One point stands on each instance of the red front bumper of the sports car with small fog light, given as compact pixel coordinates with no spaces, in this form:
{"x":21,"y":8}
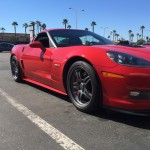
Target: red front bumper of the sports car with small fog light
{"x":122,"y":93}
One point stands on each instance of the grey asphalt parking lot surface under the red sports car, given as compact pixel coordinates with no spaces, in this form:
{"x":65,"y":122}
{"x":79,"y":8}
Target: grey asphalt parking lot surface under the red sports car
{"x":100,"y":131}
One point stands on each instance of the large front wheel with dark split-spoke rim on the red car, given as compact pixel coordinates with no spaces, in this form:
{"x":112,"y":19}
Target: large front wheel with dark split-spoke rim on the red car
{"x":83,"y":87}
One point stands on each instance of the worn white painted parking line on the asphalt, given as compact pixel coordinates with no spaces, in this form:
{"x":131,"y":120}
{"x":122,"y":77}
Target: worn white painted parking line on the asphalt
{"x":55,"y":134}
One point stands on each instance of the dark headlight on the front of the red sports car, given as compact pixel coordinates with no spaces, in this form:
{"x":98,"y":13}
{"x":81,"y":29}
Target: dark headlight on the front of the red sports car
{"x":128,"y":60}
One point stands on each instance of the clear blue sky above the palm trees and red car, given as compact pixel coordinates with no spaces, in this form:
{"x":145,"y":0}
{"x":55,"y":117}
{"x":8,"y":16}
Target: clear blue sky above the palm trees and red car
{"x":119,"y":15}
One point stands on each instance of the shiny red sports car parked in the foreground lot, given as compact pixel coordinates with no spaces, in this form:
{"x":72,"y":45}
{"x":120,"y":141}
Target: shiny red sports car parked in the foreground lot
{"x":90,"y":69}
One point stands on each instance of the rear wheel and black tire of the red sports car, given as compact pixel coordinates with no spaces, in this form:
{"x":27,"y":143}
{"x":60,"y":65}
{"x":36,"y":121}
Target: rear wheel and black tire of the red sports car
{"x":15,"y":69}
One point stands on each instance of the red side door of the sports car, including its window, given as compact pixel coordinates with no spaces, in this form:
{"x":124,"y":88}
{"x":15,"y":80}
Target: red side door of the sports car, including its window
{"x":37,"y":62}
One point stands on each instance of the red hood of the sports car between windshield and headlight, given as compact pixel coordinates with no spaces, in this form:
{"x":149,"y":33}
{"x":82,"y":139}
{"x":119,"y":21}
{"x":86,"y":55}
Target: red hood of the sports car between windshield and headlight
{"x":141,"y":52}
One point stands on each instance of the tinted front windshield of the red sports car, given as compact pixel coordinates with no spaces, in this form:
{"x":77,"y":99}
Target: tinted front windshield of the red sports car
{"x":63,"y":38}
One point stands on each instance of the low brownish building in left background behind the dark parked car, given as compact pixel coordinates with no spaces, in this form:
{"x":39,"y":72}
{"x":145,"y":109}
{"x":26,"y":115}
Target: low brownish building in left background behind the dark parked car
{"x":11,"y":38}
